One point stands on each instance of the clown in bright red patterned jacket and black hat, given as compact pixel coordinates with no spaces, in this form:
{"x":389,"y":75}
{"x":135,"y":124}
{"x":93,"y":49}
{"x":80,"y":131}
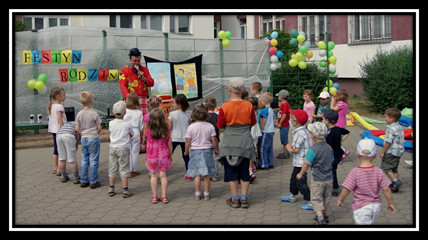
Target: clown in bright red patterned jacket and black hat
{"x":136,"y":78}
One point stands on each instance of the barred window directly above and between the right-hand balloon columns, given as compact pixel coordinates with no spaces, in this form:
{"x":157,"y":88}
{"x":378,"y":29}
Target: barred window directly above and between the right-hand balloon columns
{"x":315,"y":26}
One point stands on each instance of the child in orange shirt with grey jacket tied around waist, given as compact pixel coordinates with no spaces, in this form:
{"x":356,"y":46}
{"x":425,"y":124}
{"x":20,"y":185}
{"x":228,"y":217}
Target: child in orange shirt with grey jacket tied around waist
{"x":236,"y":148}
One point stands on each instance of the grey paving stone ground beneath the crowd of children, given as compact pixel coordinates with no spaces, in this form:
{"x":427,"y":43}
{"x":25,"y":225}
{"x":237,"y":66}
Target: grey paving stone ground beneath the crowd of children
{"x":40,"y":200}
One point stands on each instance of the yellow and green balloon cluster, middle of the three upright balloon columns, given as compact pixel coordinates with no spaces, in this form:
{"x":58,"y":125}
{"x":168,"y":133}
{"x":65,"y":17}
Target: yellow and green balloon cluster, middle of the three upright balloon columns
{"x":298,"y":59}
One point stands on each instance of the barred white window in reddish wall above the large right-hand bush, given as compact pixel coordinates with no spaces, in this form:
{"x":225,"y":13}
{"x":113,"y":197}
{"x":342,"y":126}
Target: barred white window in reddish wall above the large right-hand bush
{"x":369,"y":28}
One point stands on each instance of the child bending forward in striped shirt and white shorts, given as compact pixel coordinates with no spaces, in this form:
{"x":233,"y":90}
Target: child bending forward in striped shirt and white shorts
{"x":67,"y":143}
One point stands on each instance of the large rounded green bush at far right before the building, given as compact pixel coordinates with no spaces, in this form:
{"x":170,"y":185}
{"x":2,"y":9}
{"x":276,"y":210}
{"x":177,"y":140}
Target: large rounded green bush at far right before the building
{"x":387,"y":78}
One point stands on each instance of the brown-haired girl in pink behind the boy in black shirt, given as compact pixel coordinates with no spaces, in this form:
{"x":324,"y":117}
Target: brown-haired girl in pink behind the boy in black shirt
{"x":339,"y":103}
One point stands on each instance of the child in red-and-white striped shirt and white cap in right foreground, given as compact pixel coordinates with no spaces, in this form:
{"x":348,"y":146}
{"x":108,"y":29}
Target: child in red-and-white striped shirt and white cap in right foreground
{"x":365,"y":181}
